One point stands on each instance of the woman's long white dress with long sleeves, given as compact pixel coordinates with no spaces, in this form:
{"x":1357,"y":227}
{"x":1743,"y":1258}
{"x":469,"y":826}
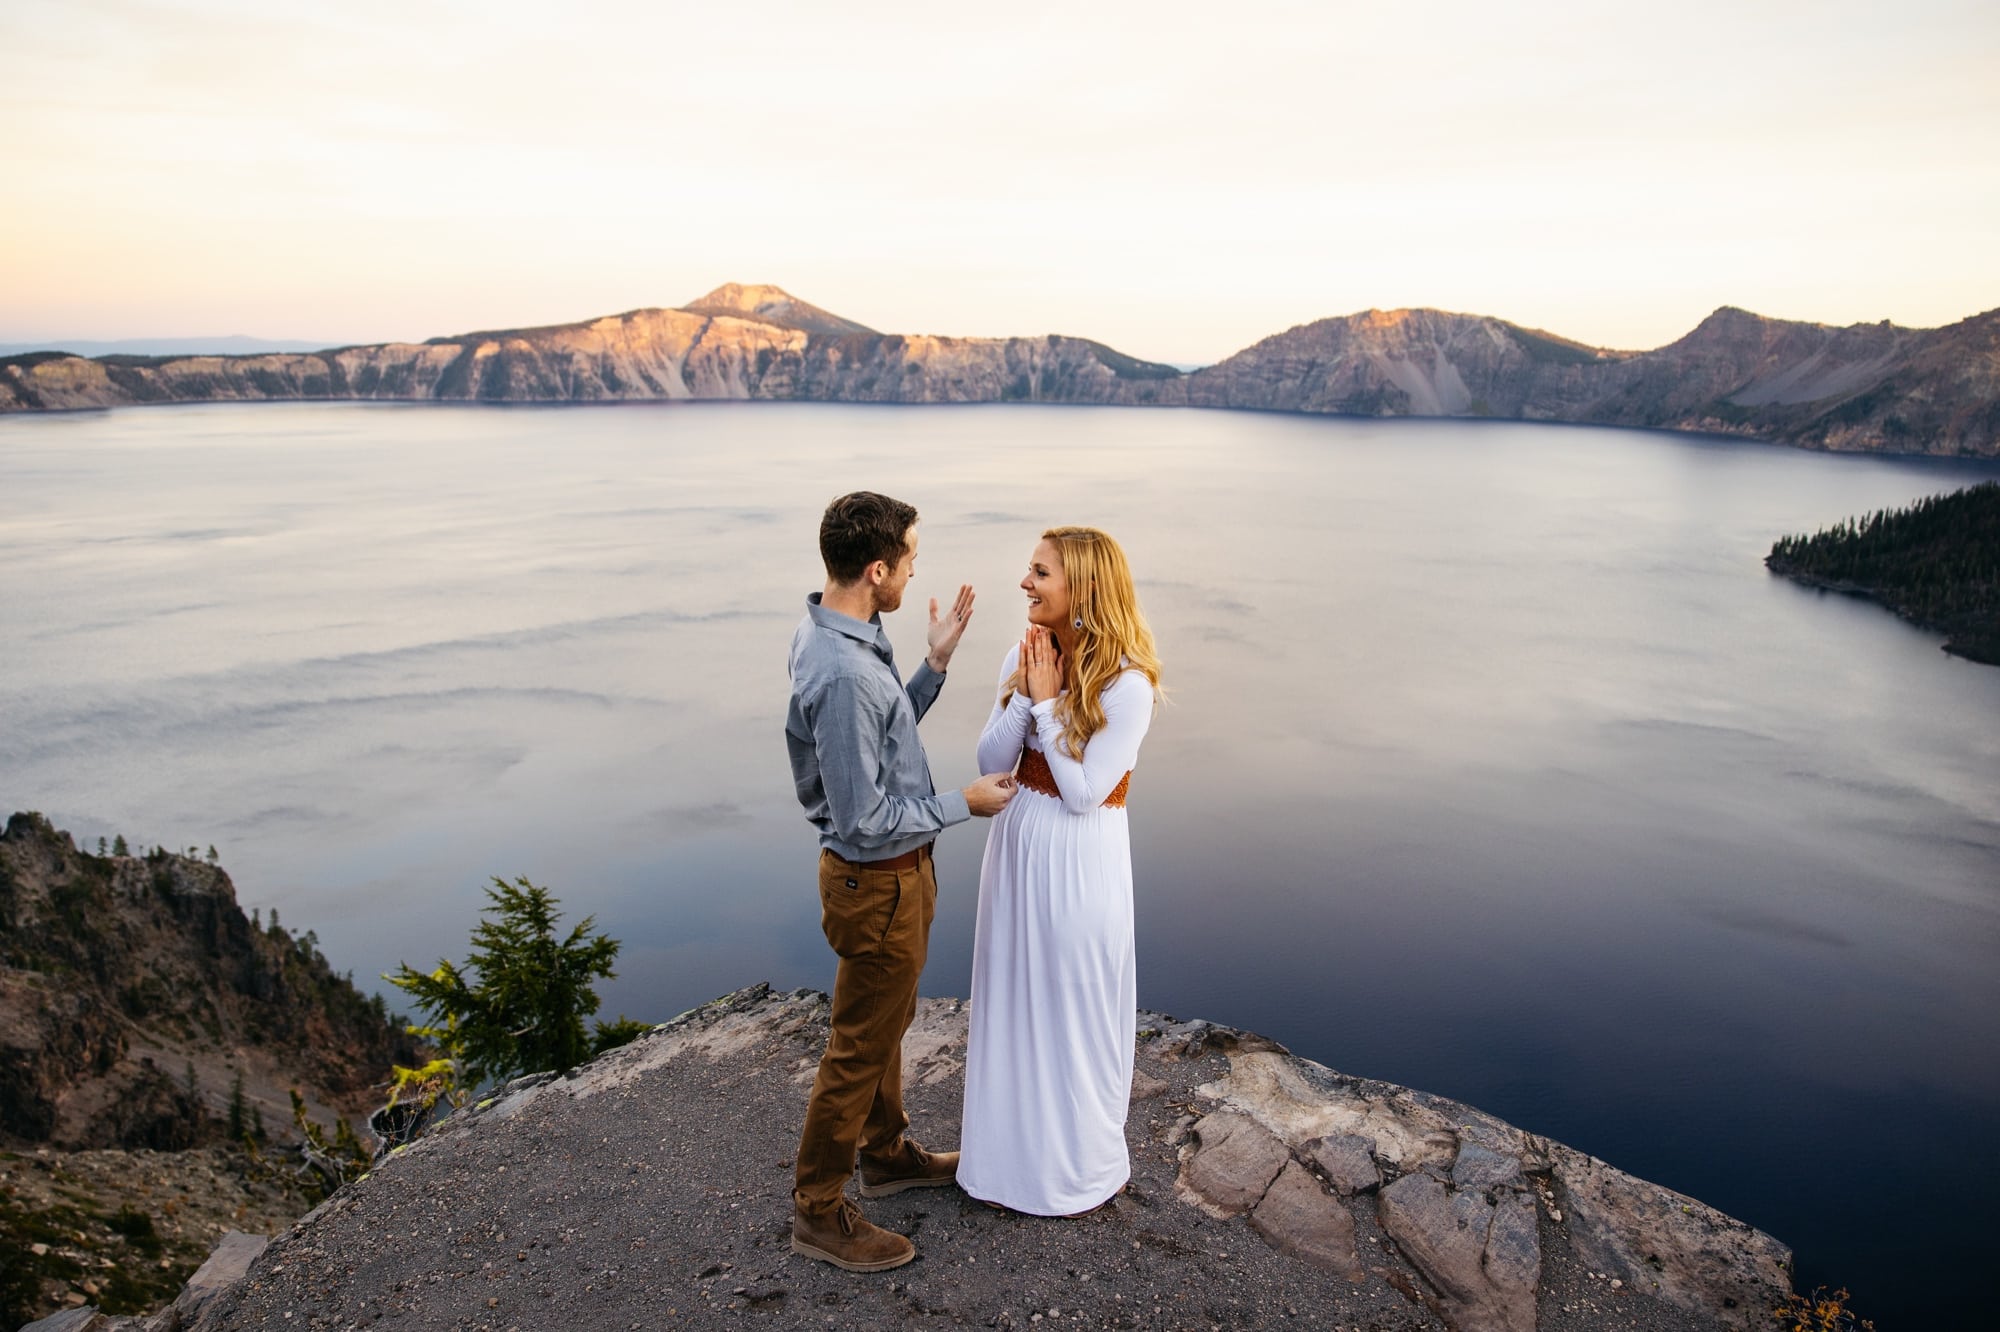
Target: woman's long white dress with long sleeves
{"x":1055,"y":989}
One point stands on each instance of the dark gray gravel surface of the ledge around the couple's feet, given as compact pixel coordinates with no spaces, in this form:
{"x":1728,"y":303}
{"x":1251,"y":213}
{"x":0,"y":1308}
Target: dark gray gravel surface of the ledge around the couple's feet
{"x":653,"y":1191}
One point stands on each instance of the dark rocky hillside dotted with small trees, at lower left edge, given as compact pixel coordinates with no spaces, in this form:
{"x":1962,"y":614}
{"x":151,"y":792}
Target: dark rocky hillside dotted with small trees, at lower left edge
{"x":135,"y":993}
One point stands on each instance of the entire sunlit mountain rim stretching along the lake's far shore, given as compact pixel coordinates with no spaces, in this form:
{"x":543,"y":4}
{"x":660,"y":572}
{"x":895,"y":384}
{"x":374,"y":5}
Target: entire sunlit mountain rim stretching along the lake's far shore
{"x":1859,"y":389}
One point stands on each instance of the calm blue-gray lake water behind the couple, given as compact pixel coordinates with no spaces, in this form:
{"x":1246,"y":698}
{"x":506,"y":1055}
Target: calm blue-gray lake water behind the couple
{"x":1495,"y":765}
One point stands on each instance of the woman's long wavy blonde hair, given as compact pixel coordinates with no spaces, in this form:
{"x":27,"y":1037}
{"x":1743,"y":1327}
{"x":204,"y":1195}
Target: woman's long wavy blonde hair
{"x":1113,"y":639}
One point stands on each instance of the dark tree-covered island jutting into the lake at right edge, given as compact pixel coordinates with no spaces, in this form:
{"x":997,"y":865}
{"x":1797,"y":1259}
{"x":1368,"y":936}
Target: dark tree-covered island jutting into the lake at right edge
{"x":1935,"y":563}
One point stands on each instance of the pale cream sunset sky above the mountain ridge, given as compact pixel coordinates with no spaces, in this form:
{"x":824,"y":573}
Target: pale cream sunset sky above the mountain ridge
{"x":1173,"y":179}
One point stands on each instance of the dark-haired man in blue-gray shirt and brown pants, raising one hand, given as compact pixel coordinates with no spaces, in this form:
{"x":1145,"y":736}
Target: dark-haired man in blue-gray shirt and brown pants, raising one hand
{"x":861,"y":773}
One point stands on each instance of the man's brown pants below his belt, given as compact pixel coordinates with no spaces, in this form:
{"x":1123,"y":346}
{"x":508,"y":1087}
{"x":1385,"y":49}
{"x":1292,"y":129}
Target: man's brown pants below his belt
{"x":879,"y":923}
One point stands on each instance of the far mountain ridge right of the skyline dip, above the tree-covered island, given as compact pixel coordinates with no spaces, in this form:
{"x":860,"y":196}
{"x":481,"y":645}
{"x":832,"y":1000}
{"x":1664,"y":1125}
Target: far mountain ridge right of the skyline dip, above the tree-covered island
{"x":1863,"y":389}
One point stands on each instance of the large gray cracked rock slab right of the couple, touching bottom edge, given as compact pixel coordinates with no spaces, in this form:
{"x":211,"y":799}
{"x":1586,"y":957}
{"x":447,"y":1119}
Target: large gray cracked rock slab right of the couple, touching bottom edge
{"x":1485,"y":1261}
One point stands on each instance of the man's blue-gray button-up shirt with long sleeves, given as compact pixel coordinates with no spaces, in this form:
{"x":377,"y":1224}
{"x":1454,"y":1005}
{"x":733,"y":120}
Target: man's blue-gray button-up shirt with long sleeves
{"x":851,"y":733}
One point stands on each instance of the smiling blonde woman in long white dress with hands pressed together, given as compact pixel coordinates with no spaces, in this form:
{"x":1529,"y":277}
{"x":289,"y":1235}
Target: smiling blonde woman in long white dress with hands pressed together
{"x":1055,"y":995}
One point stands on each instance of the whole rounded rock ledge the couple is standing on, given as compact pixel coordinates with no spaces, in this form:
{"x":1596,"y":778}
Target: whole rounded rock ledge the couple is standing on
{"x":653,"y":1191}
